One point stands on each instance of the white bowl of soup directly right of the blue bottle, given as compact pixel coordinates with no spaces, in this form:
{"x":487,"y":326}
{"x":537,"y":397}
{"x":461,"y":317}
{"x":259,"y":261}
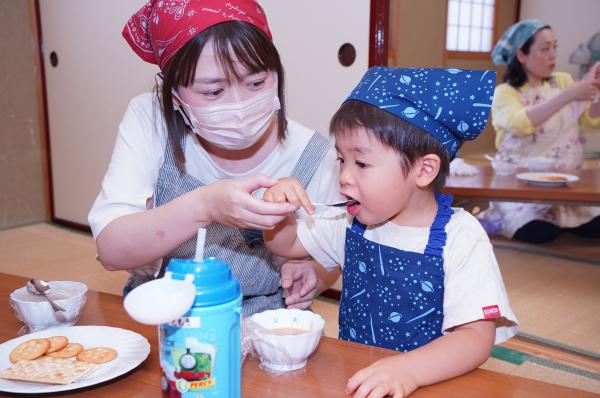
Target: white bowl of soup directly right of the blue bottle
{"x":285,"y":352}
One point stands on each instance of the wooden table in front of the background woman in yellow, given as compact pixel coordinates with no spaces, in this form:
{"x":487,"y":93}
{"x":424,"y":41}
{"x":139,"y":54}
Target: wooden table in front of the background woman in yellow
{"x":489,"y":185}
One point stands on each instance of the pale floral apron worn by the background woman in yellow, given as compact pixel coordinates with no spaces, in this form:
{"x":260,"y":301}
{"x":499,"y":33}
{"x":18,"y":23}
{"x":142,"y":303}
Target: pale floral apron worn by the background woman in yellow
{"x":559,"y":138}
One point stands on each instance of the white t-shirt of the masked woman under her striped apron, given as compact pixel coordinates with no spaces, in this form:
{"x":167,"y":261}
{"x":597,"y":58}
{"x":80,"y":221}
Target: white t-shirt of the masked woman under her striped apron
{"x":140,"y":151}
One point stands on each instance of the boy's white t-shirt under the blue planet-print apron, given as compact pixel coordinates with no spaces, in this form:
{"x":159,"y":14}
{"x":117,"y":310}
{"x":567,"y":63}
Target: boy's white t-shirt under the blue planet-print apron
{"x":472,"y":278}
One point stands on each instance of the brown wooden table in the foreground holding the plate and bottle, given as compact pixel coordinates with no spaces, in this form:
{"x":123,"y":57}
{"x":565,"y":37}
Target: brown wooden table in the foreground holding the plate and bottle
{"x":324,"y":376}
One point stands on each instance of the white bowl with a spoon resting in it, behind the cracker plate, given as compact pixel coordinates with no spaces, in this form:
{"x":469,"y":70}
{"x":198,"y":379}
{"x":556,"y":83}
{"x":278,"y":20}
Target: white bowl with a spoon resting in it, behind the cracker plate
{"x":35,"y":311}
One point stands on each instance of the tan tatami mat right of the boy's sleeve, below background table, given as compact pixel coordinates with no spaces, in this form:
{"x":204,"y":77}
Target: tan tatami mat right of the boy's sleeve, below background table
{"x":554,"y":298}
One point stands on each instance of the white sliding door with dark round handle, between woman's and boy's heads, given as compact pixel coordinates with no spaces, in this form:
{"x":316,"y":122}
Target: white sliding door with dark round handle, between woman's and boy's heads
{"x":316,"y":83}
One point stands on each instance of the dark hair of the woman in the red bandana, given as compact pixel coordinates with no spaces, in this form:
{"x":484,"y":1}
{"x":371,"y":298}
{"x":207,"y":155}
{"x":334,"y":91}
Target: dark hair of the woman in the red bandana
{"x":247,"y":43}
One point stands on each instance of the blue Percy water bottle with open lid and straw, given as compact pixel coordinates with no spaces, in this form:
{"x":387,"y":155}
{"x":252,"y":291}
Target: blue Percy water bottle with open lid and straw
{"x":200,"y":351}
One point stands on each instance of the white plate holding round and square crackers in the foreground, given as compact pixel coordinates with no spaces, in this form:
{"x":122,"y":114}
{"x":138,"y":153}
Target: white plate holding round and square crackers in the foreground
{"x":131,"y":347}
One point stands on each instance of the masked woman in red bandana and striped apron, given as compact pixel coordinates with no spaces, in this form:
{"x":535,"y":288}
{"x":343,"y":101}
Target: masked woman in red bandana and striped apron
{"x":198,"y":151}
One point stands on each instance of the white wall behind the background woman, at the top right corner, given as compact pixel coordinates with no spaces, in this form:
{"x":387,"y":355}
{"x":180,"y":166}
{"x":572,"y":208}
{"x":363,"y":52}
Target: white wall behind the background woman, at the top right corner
{"x":574,"y":22}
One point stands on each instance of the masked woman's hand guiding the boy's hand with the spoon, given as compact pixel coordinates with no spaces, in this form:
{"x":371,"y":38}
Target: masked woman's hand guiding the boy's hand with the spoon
{"x":230,"y":202}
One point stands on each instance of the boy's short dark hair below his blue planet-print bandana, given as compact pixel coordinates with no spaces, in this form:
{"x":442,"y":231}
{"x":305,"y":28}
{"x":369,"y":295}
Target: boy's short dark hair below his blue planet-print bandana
{"x":409,"y":141}
